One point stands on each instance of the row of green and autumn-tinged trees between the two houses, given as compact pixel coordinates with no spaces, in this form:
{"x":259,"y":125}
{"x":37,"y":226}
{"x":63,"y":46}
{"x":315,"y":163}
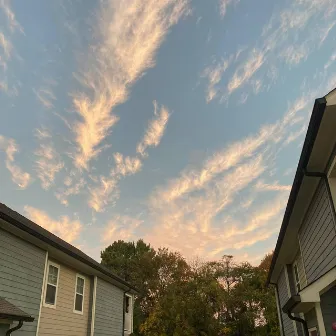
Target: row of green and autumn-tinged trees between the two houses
{"x":198,"y":298}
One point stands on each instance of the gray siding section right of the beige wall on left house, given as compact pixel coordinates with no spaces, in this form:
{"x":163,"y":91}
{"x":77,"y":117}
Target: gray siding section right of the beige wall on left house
{"x":109,"y":310}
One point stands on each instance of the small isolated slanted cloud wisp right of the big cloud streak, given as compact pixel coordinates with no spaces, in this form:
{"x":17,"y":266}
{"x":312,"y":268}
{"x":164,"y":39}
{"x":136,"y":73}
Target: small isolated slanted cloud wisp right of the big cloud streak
{"x":155,"y":130}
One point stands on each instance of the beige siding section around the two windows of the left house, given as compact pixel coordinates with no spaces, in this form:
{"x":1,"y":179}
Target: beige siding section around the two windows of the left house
{"x":62,"y":320}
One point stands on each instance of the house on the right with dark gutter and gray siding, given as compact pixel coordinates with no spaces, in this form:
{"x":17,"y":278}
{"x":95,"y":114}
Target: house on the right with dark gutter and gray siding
{"x":303,"y":268}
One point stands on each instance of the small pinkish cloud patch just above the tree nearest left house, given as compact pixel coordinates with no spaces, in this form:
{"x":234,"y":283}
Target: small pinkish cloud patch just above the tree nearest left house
{"x":120,"y":227}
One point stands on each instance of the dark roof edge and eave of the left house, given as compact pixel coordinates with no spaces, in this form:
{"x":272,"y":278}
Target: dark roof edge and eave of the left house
{"x":46,"y":236}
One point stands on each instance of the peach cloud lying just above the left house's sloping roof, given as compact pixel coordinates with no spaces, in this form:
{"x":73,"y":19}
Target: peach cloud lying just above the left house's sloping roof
{"x":64,"y":227}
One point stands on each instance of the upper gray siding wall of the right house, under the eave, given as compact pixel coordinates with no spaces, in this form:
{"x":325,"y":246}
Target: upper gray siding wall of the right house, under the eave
{"x":318,"y":236}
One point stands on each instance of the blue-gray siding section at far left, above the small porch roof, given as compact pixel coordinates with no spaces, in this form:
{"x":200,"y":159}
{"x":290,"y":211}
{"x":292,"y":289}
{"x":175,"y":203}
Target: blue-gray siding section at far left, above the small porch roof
{"x":21,"y":277}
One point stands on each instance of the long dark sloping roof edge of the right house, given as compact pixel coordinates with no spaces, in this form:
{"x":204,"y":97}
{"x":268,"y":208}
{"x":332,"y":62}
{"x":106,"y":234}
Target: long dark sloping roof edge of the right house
{"x":314,"y":125}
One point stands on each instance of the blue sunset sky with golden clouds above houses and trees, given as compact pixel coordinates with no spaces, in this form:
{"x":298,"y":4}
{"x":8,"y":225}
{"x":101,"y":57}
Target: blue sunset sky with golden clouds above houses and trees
{"x":176,"y":121}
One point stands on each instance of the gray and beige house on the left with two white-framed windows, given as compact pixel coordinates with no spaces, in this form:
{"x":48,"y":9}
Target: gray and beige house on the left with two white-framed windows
{"x":51,"y":288}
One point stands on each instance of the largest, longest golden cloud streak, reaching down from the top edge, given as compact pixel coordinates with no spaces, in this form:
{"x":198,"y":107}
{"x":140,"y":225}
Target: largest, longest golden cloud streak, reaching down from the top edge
{"x":123,"y":53}
